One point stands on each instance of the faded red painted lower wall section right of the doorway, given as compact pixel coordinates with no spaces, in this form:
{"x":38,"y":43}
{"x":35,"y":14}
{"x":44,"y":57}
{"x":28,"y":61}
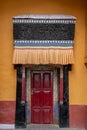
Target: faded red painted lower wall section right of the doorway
{"x":77,"y":116}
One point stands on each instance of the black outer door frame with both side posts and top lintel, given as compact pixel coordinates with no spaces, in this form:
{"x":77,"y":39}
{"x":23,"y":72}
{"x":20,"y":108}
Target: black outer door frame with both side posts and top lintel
{"x":63,"y":108}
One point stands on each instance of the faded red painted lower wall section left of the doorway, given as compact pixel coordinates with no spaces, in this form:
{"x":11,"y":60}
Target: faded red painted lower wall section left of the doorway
{"x":7,"y":112}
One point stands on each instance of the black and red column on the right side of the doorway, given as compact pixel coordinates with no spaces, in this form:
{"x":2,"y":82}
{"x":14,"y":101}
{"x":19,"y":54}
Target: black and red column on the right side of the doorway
{"x":64,"y":97}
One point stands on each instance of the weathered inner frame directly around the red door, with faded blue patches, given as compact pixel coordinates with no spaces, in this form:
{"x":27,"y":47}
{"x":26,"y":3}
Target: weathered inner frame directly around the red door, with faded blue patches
{"x":28,"y":88}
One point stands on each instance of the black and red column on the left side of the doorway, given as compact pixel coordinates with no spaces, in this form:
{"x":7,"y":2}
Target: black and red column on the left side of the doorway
{"x":20,"y":106}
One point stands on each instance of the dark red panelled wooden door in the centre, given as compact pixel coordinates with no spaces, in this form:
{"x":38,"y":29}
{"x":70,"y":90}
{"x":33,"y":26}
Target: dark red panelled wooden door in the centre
{"x":41,"y":97}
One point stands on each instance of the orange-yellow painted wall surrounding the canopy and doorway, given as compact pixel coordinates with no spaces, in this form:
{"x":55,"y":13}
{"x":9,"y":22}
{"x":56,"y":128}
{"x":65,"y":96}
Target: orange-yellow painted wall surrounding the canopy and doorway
{"x":10,"y":8}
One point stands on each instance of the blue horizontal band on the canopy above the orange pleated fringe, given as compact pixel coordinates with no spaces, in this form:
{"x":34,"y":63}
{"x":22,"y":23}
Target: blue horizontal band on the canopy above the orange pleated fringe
{"x":41,"y":44}
